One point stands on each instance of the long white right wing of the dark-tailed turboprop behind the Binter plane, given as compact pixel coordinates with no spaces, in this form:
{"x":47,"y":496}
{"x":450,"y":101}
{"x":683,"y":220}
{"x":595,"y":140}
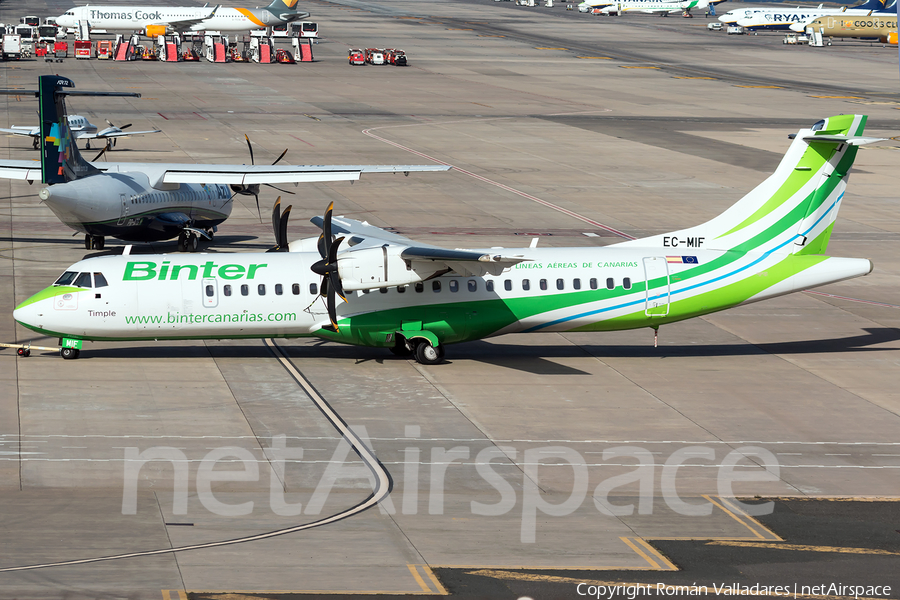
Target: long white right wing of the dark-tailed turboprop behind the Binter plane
{"x":161,"y":173}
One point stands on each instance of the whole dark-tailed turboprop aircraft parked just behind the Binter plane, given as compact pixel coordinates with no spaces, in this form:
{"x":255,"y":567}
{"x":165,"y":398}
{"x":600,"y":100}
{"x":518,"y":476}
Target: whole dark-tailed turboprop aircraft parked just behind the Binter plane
{"x":145,"y":202}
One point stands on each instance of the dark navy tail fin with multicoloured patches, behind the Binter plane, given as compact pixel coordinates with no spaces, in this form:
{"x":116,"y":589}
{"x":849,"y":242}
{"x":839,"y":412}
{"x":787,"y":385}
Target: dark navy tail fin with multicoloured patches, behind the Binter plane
{"x":60,"y":159}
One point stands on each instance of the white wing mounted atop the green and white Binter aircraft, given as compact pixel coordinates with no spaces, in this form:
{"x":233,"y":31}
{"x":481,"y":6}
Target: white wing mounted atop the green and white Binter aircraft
{"x":467,"y":263}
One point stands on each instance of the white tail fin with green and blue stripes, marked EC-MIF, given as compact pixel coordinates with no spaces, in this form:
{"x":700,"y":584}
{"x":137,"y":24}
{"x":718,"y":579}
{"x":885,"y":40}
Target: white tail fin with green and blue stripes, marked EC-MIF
{"x":791,"y":212}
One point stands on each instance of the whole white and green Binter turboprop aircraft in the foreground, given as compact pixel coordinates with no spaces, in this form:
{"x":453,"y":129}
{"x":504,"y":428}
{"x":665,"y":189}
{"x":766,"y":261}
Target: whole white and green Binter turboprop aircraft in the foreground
{"x":417,"y":298}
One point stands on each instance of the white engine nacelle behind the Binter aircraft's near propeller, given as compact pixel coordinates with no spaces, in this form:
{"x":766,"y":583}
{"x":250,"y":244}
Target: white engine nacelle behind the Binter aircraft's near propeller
{"x":374,"y":268}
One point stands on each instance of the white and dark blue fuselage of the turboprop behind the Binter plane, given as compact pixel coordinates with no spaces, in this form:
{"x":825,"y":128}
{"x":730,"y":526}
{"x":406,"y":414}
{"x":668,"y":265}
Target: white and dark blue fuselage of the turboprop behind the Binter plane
{"x":125,"y":206}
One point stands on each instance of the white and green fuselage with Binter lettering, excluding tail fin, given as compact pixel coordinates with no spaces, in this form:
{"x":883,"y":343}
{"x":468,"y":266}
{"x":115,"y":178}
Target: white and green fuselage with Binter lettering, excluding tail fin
{"x":195,"y":296}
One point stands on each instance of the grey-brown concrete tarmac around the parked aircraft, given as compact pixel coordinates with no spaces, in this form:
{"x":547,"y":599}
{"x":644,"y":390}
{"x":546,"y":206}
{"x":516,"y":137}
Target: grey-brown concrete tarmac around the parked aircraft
{"x":502,"y":457}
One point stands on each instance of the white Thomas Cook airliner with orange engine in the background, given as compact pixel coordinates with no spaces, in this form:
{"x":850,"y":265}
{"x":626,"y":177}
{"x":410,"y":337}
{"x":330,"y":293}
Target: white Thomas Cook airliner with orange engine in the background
{"x":159,"y":20}
